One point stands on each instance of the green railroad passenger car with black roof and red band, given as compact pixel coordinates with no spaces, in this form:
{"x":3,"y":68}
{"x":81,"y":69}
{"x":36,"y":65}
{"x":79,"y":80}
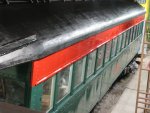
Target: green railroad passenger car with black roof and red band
{"x":63,"y":57}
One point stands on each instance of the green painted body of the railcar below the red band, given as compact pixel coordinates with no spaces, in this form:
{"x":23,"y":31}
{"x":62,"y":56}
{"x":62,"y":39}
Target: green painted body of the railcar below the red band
{"x":81,"y":97}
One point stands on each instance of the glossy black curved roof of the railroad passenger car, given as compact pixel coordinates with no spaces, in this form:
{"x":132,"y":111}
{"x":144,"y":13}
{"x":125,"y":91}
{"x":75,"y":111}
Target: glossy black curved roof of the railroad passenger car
{"x":32,"y":32}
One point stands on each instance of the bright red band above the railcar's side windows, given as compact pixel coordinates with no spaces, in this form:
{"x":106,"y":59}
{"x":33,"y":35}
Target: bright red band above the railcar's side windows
{"x":50,"y":65}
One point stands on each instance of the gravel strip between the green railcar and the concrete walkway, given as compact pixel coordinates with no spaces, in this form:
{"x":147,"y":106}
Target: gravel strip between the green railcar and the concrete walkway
{"x":110,"y":99}
